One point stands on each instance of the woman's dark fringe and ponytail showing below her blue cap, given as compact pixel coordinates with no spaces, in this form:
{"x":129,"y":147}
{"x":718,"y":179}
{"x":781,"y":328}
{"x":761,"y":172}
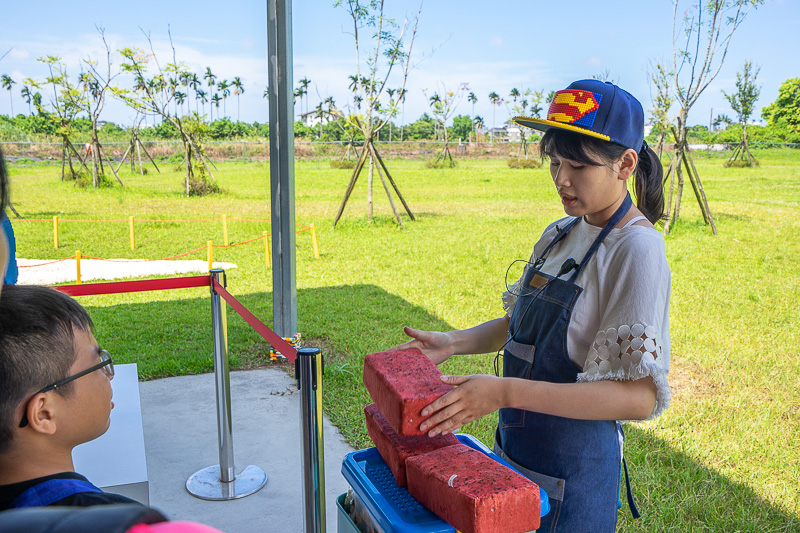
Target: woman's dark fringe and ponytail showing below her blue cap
{"x":648,"y":184}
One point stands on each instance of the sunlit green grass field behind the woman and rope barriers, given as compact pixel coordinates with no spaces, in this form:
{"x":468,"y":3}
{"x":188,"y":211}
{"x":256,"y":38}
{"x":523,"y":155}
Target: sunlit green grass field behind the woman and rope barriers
{"x":726,"y":455}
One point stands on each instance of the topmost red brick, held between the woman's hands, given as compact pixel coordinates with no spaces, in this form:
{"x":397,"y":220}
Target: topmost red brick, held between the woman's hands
{"x":402,"y":383}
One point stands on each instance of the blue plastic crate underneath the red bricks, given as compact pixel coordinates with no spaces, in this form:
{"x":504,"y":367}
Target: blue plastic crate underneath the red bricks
{"x":391,"y":506}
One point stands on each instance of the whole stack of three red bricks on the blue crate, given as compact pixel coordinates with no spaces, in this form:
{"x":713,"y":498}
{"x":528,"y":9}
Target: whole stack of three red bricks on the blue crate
{"x":462,"y":486}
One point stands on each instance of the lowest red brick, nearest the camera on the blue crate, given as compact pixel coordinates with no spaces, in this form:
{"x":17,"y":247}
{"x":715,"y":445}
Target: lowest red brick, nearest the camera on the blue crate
{"x":472,"y":492}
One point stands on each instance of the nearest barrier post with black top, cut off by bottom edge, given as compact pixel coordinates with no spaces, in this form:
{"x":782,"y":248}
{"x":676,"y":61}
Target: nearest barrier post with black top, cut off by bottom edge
{"x":308,"y":370}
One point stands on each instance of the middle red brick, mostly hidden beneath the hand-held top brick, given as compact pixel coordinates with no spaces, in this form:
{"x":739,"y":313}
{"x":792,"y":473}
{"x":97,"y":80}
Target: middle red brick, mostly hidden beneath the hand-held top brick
{"x":394,"y":448}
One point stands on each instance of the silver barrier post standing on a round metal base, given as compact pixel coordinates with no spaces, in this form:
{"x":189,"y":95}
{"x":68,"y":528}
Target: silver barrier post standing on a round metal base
{"x":219,"y":482}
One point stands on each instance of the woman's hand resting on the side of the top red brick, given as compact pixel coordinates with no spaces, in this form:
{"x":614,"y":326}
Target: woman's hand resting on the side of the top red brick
{"x":474,"y":397}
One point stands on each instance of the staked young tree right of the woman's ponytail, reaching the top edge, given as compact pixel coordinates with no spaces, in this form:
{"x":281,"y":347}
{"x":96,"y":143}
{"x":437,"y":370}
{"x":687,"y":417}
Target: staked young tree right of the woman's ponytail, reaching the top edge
{"x":700,"y":41}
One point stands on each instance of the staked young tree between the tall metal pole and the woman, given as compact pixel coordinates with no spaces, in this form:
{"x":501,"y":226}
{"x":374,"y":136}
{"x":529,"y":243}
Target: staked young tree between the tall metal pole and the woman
{"x":388,"y":51}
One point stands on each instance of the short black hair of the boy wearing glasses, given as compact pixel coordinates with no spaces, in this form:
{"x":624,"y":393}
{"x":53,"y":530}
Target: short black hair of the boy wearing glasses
{"x":37,"y":326}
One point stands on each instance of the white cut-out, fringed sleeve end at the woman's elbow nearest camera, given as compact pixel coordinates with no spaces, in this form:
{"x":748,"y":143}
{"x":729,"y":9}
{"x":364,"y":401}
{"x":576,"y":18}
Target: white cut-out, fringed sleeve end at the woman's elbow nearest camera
{"x":629,"y":353}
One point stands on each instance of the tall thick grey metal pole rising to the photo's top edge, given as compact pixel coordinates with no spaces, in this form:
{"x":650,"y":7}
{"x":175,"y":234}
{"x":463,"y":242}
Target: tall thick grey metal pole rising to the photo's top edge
{"x":281,"y":166}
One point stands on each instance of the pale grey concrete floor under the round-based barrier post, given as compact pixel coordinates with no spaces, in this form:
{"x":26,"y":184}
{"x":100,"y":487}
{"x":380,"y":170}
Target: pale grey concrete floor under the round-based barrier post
{"x":180,"y":431}
